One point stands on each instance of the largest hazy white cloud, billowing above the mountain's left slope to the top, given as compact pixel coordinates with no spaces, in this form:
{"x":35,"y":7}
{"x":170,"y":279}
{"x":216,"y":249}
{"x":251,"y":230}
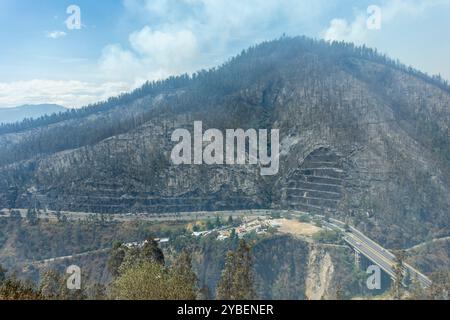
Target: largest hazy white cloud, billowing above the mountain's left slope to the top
{"x":182,"y":36}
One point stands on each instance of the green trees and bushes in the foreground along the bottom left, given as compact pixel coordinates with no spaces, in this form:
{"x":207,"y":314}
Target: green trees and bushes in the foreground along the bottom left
{"x":140,"y":273}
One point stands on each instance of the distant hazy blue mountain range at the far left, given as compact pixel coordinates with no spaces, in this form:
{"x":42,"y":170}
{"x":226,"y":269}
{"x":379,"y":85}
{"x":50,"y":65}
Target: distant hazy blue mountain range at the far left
{"x":10,"y":115}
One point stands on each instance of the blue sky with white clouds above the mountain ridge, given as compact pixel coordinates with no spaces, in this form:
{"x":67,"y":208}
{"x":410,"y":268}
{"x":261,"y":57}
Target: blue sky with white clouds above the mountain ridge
{"x":117,"y":45}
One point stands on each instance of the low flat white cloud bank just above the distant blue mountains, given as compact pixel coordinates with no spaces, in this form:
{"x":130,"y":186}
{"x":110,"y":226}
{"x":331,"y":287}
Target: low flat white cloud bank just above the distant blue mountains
{"x":69,"y":93}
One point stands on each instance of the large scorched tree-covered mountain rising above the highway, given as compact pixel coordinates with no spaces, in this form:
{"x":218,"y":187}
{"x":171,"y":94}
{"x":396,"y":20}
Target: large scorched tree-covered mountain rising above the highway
{"x":363,"y":138}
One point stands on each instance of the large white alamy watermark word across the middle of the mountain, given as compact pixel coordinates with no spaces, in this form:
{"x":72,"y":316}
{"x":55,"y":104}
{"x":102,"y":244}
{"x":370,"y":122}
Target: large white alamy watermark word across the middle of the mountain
{"x":230,"y":150}
